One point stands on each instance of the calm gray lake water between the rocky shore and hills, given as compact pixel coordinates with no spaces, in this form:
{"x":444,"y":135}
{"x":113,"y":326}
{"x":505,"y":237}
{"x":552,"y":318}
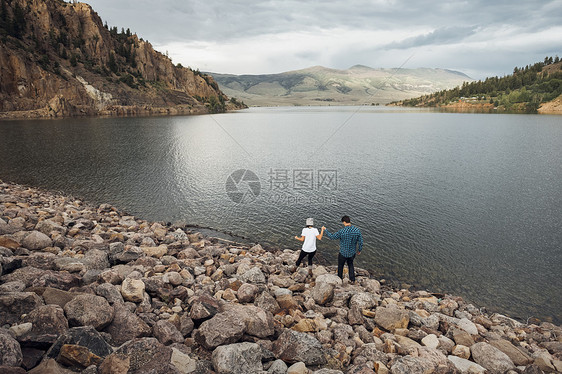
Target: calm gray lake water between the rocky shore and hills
{"x":468,"y":204}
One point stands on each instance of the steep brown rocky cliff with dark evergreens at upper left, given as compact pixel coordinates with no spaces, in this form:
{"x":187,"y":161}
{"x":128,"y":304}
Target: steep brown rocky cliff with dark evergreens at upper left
{"x":57,"y":59}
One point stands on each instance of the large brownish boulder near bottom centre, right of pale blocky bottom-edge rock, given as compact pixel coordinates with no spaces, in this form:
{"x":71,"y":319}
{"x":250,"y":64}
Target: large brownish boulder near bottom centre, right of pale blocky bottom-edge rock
{"x":293,"y":346}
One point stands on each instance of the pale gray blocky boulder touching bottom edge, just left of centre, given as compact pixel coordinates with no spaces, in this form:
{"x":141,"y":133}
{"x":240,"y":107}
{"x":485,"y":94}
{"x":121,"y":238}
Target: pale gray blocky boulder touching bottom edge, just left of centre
{"x":241,"y":358}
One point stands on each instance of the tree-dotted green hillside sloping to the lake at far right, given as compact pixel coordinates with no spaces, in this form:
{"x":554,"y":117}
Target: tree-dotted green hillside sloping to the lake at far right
{"x":530,"y":89}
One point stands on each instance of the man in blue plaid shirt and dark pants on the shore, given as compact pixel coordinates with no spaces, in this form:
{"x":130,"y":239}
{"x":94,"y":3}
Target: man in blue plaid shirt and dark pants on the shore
{"x":351,"y":243}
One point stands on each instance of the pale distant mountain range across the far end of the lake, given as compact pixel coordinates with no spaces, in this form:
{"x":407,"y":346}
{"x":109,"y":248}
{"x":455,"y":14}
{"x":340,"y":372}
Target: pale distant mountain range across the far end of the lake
{"x":323,"y":86}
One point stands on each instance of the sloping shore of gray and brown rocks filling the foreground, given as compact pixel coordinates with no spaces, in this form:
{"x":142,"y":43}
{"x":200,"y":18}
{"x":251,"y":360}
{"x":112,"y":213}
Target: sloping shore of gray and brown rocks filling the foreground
{"x":90,"y":289}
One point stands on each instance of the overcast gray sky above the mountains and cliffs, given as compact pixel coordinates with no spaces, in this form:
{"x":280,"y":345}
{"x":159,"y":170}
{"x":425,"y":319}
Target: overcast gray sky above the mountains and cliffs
{"x":480,"y":38}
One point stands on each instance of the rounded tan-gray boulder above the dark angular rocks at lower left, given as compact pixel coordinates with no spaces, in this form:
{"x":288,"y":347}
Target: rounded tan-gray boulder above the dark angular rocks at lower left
{"x":89,"y":310}
